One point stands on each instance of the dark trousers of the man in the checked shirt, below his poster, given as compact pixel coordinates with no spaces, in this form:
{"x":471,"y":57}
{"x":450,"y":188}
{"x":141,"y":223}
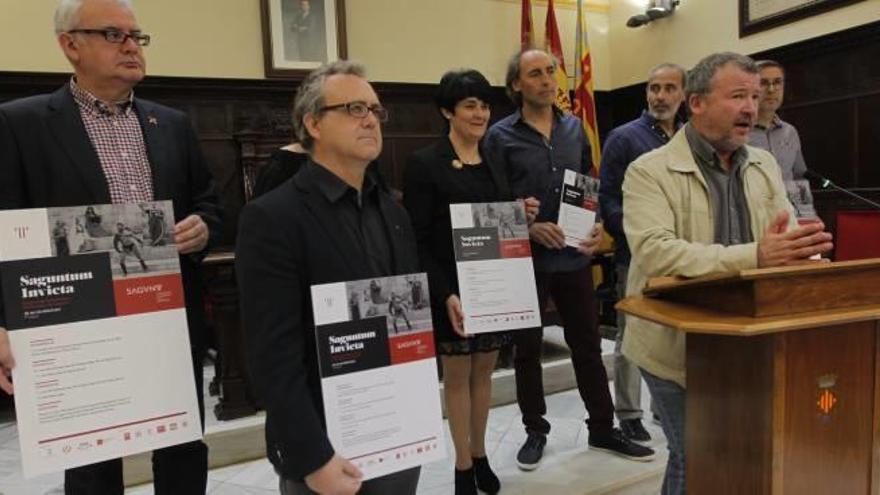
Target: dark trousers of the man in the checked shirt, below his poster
{"x":179,"y":470}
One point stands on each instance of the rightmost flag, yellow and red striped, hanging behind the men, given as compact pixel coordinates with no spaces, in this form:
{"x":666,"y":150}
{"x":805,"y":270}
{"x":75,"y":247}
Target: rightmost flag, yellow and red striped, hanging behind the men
{"x":584,"y":103}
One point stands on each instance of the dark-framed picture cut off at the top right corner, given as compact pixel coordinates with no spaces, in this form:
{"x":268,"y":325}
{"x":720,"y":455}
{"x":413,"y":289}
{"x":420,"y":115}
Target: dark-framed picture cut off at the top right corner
{"x":760,"y":15}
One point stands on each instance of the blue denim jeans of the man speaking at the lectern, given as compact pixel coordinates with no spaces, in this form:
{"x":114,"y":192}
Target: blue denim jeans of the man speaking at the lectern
{"x":669,"y":399}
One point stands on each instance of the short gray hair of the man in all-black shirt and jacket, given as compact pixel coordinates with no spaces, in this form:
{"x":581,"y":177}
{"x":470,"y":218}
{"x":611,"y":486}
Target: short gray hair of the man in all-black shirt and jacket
{"x":310,"y":96}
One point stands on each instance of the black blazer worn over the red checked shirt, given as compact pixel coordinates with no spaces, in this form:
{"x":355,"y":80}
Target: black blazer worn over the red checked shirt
{"x":47,"y":160}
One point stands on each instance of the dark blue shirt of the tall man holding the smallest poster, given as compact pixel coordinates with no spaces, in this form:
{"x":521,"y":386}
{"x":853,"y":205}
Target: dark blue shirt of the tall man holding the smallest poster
{"x":535,"y":167}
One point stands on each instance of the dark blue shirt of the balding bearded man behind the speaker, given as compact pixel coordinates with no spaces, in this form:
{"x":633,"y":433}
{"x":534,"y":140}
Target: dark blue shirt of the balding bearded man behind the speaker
{"x":623,"y":145}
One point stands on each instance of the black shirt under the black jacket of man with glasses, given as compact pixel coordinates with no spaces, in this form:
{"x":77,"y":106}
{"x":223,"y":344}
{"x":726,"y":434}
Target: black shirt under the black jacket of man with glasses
{"x":359,"y":213}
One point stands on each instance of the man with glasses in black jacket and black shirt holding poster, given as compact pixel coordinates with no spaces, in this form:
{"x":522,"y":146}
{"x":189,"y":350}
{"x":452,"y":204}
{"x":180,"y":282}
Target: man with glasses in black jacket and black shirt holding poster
{"x":332,"y":222}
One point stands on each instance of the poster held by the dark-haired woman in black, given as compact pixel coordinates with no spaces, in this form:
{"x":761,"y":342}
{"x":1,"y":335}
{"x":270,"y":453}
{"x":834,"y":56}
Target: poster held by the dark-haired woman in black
{"x":493,"y":259}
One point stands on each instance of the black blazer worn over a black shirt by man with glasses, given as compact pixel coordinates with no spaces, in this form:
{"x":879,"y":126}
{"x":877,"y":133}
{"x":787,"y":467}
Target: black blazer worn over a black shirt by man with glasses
{"x":288,"y":240}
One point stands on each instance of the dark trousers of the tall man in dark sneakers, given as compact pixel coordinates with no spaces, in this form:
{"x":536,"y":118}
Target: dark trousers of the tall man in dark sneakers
{"x":573,"y":295}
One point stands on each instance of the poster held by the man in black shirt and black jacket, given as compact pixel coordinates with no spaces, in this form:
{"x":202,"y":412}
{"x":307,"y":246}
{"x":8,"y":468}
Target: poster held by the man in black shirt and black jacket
{"x":379,"y":380}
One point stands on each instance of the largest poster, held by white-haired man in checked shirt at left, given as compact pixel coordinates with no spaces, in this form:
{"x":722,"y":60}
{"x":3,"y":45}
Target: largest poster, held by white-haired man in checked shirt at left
{"x":94,"y":305}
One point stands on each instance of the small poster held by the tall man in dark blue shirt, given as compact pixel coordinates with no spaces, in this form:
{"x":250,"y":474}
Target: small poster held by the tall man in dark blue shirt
{"x":578,"y":206}
